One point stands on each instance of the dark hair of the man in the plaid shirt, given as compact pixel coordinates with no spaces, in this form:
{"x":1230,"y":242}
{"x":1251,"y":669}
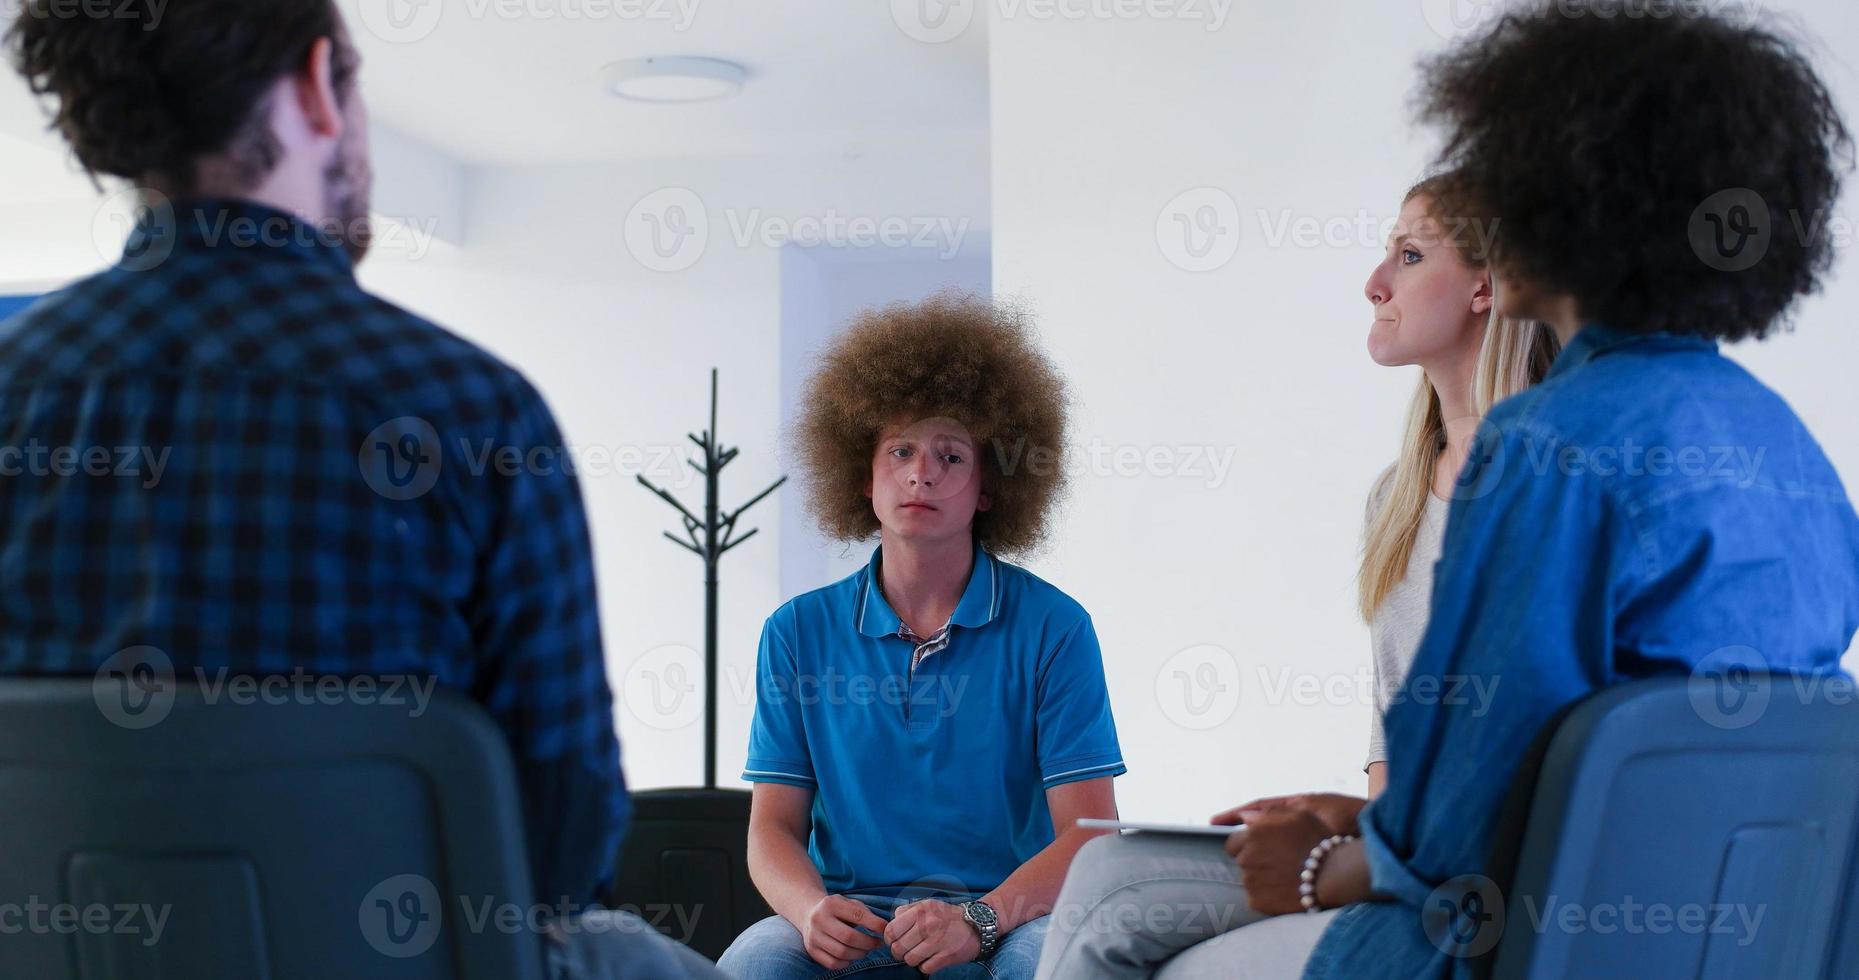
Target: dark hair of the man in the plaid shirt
{"x":148,"y":92}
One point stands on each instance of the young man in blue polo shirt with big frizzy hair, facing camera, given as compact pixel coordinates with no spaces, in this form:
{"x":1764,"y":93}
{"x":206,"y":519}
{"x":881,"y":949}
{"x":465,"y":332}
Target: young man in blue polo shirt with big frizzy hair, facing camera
{"x":929,"y":730}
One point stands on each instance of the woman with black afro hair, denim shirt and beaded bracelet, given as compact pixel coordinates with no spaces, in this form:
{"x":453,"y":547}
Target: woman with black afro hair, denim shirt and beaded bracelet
{"x":1600,"y":531}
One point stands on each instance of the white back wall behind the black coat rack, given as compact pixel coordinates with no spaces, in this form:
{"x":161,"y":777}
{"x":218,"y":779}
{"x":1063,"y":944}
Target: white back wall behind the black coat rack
{"x":559,"y":276}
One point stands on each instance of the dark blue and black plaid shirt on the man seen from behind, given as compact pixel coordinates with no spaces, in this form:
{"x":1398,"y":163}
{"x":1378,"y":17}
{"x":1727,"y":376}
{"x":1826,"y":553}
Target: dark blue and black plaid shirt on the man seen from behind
{"x":228,"y":451}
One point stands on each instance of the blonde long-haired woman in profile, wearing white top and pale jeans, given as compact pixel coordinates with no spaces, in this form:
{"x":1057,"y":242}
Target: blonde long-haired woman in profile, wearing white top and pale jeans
{"x":1133,"y":905}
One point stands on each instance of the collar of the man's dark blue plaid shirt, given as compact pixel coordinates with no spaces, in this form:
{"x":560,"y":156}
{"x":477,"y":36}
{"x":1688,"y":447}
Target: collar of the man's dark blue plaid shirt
{"x":211,"y":224}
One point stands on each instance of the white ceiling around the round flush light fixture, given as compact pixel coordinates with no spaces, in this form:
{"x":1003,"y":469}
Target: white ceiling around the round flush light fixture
{"x":518,"y":81}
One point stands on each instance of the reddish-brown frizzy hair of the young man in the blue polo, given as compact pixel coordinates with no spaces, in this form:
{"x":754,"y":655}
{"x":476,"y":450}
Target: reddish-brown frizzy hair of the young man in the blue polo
{"x":953,"y":356}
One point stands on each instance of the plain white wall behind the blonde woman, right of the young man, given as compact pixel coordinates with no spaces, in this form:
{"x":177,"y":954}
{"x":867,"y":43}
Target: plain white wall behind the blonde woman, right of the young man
{"x":1213,"y":594}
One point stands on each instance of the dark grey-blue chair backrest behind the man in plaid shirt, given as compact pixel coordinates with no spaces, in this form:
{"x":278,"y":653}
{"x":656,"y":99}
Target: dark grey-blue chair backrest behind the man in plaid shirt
{"x":259,"y":838}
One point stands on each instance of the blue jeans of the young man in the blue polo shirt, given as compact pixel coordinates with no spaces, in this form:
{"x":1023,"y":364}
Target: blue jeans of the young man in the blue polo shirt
{"x":772,"y":949}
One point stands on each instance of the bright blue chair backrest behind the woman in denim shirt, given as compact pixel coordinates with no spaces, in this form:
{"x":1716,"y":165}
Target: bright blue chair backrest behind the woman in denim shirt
{"x":1702,"y":828}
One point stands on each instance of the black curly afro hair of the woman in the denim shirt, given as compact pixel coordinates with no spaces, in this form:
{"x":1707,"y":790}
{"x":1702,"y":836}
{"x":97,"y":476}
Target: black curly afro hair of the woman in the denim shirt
{"x":1613,"y":140}
